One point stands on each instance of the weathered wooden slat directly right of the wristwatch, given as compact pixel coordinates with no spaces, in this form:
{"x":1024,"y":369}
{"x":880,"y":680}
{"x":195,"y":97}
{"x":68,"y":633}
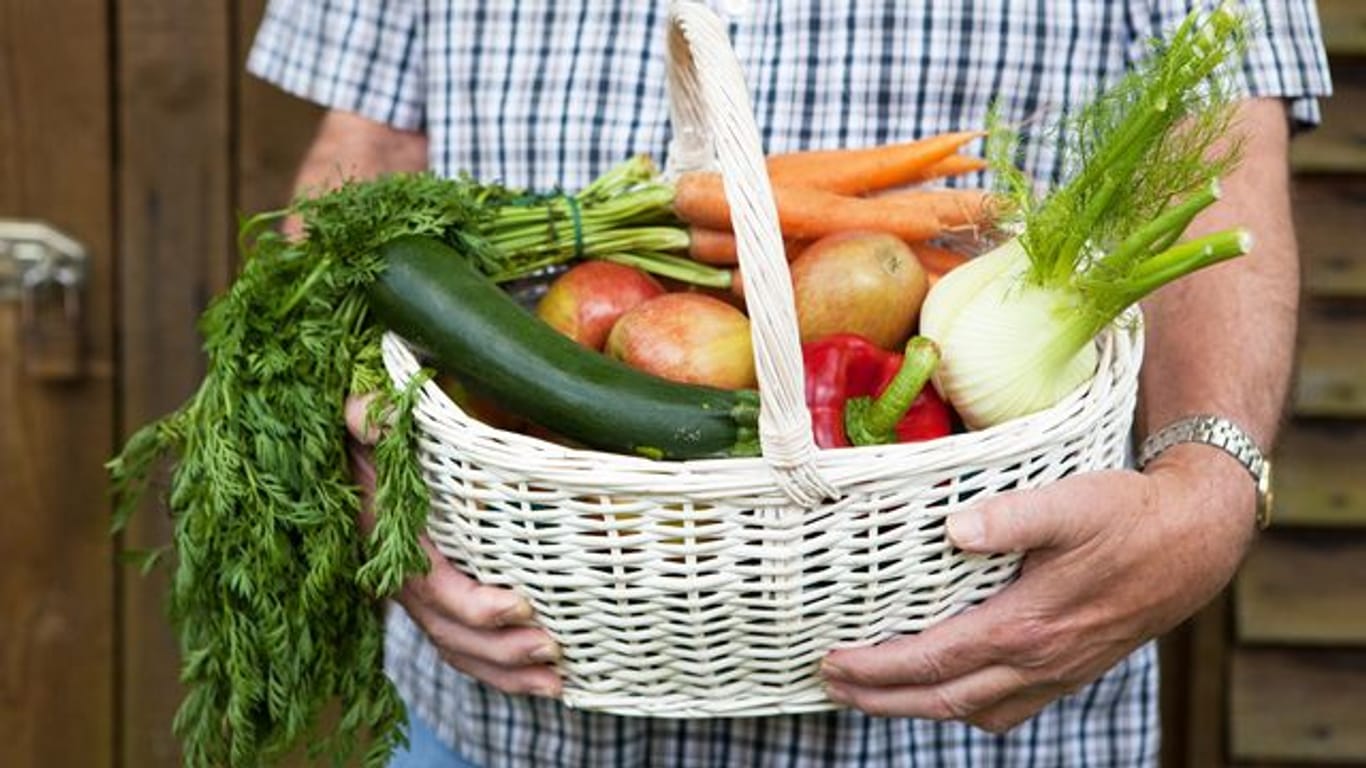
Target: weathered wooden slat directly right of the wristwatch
{"x":1319,"y":475}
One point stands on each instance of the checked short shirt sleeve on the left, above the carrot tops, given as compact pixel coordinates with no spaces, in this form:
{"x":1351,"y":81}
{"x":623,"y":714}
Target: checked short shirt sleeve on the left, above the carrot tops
{"x":363,"y":57}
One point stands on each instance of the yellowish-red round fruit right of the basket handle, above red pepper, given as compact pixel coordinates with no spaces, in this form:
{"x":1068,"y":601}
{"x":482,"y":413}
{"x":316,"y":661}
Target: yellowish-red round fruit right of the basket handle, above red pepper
{"x":867,"y":284}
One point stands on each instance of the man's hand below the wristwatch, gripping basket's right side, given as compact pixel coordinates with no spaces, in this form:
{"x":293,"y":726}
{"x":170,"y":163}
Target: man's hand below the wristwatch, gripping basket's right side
{"x":1114,"y":558}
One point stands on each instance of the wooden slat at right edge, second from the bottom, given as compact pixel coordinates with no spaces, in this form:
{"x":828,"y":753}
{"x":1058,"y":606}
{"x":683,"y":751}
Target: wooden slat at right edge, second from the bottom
{"x":1304,"y":588}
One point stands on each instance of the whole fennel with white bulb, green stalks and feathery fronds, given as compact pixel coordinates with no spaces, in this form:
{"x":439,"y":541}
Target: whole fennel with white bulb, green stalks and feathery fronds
{"x":1017,"y":326}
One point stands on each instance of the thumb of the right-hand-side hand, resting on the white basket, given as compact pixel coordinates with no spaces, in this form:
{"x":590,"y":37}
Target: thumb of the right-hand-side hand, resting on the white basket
{"x":1040,"y":519}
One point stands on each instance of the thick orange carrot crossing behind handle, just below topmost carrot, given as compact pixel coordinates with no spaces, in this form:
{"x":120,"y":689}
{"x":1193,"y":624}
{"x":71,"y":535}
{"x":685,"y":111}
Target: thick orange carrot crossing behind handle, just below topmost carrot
{"x":808,"y":214}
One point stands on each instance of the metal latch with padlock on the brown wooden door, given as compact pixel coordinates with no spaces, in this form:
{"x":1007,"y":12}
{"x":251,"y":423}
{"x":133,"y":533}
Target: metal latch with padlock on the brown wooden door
{"x":46,"y":271}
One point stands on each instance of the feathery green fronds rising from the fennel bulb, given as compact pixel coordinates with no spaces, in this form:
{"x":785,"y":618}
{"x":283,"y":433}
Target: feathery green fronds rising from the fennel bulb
{"x":1145,"y":152}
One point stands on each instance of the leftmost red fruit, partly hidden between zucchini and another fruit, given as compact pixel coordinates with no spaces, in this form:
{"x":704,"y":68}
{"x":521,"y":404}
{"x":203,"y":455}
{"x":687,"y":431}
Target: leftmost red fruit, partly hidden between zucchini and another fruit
{"x":588,"y":300}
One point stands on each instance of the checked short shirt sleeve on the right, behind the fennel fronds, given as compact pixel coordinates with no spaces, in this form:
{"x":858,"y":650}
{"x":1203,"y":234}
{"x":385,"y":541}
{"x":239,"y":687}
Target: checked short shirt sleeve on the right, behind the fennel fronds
{"x":1286,"y":54}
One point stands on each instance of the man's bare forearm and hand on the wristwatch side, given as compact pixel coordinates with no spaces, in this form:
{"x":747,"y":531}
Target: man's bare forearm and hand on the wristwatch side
{"x":1117,"y":558}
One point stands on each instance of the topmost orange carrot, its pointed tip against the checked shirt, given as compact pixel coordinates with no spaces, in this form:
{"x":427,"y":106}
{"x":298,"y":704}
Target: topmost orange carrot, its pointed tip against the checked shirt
{"x":859,"y":172}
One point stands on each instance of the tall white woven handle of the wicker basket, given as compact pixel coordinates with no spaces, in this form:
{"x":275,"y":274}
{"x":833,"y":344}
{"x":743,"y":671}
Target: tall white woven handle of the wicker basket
{"x":714,"y":120}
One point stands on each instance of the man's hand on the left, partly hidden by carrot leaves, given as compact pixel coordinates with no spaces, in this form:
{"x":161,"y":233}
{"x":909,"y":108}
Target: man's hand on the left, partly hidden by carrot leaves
{"x":482,"y":631}
